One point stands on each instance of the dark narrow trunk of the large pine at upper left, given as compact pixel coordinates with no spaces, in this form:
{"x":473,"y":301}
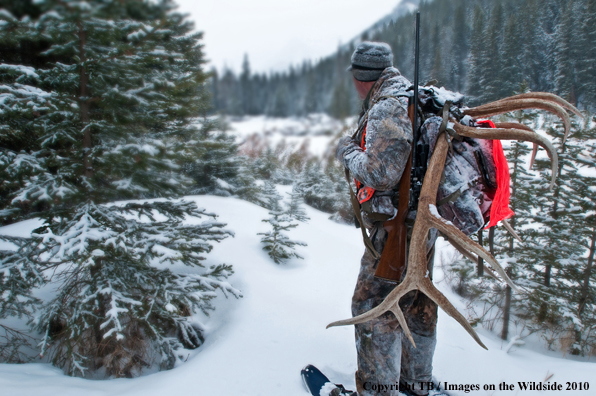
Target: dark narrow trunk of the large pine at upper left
{"x":84,"y":103}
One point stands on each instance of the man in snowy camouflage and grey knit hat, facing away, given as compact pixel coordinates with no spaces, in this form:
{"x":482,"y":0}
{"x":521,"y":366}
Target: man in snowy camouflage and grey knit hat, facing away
{"x":376,"y":157}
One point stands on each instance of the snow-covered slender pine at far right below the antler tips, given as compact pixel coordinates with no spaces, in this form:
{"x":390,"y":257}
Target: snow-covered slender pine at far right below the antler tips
{"x":554,"y":250}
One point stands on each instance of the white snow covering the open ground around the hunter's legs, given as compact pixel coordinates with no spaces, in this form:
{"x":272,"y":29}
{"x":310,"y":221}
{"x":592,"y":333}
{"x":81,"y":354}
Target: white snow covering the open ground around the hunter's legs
{"x":257,"y":345}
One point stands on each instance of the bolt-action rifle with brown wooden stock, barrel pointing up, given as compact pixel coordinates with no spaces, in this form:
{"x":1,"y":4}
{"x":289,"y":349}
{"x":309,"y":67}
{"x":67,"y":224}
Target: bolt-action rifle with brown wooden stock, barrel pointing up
{"x":393,"y":259}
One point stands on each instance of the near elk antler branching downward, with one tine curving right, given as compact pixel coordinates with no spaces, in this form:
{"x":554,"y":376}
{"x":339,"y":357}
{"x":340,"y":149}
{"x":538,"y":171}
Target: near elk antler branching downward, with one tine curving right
{"x":428,"y":217}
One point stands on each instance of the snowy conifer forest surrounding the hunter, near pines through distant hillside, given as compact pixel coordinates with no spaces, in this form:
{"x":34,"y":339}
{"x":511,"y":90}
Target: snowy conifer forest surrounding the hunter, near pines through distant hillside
{"x":110,"y":119}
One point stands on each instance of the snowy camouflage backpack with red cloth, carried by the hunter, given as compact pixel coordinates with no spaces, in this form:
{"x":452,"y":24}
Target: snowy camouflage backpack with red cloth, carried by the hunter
{"x":470,"y":182}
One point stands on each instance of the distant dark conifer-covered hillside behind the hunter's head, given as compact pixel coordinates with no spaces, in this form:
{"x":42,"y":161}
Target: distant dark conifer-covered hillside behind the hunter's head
{"x":484,"y":48}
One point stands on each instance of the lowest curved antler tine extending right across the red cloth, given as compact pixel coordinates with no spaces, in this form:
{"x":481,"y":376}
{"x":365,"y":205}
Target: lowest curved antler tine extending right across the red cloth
{"x":513,"y":134}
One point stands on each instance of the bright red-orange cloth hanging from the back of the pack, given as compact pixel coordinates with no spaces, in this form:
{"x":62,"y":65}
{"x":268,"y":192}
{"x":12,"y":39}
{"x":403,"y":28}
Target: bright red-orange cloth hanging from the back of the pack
{"x":500,"y":206}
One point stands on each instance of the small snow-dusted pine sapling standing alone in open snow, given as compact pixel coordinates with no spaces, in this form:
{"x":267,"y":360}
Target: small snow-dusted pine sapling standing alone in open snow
{"x":278,"y":245}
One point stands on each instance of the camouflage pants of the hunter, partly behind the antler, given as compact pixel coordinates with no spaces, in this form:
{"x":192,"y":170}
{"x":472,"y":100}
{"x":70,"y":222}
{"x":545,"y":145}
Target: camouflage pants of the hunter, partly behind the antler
{"x":386,"y":357}
